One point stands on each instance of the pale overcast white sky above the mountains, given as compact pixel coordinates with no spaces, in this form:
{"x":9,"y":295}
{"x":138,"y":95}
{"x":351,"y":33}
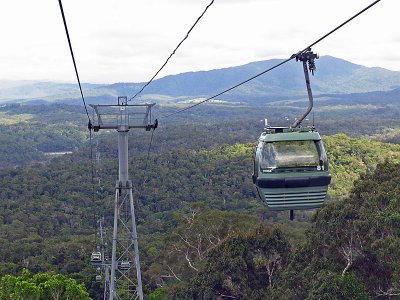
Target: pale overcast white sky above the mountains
{"x":129,"y":40}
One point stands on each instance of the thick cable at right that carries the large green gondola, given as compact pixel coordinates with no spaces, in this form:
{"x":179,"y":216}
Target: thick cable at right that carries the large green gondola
{"x":275,"y":66}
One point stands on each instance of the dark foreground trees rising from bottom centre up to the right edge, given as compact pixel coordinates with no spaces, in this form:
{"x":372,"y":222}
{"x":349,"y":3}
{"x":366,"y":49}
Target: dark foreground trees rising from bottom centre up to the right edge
{"x":351,"y":252}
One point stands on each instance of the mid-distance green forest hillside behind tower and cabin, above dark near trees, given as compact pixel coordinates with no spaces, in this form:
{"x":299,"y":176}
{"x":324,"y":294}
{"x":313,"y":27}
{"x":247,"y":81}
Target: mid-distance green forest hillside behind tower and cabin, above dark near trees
{"x":47,"y":210}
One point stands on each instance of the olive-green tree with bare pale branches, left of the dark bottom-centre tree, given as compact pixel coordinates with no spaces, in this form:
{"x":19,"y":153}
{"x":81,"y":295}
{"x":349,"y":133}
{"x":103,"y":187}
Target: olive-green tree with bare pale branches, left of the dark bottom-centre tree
{"x":186,"y":248}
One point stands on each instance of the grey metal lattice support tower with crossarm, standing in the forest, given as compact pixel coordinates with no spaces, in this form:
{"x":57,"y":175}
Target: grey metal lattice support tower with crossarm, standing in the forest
{"x":123,"y":277}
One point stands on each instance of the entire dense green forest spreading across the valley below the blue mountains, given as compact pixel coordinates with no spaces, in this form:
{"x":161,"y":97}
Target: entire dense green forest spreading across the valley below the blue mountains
{"x":197,"y":184}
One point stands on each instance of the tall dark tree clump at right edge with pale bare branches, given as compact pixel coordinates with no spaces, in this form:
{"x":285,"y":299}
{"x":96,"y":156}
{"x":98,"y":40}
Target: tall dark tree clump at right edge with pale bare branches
{"x":358,"y":237}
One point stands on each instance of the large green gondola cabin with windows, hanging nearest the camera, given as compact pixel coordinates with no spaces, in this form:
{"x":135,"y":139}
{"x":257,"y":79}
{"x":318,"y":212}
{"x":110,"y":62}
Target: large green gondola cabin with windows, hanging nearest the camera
{"x":291,"y":168}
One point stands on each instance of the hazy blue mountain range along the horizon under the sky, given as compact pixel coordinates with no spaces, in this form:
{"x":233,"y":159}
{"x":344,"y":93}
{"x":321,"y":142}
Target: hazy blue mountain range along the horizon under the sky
{"x":334,"y":76}
